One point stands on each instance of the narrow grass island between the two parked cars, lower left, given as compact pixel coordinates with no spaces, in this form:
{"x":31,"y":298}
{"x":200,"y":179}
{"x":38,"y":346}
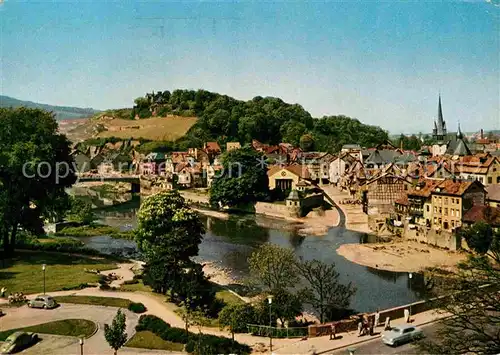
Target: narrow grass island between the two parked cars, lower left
{"x":68,"y":327}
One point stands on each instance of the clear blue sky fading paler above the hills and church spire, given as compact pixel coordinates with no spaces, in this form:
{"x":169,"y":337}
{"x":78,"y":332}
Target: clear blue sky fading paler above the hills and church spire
{"x":382,"y":62}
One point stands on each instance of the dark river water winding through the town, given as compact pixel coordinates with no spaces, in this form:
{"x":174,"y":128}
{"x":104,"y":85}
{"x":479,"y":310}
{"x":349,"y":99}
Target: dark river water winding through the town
{"x":230,"y":242}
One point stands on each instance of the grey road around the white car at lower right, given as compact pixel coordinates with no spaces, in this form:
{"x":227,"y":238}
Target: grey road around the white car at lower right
{"x":377,"y":347}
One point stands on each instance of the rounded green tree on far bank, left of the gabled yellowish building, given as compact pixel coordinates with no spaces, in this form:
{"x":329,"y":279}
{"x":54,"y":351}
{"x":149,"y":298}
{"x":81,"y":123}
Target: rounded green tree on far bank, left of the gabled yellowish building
{"x":243,"y":180}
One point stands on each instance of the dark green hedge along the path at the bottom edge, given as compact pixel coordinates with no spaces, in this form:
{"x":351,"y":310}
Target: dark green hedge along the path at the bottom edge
{"x":208,"y":344}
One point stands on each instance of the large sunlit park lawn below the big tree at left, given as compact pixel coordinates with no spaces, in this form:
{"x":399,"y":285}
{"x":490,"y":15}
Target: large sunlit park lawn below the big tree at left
{"x":23,"y":272}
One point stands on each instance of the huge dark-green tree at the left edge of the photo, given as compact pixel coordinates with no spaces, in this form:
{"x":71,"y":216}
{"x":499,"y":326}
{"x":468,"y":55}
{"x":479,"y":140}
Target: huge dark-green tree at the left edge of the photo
{"x":35,"y":169}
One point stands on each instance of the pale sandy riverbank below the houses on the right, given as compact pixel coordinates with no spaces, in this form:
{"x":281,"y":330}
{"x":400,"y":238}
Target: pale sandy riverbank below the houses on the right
{"x":400,"y":256}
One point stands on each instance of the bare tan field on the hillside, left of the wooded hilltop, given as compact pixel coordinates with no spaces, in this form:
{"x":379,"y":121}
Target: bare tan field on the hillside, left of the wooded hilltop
{"x":154,"y":128}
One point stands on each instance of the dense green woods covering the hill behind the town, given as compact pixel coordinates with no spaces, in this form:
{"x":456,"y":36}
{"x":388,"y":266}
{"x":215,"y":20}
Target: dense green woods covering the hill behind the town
{"x":269,"y":120}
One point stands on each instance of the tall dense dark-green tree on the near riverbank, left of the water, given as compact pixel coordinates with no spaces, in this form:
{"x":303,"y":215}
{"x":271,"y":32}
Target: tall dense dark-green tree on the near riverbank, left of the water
{"x":168,"y":235}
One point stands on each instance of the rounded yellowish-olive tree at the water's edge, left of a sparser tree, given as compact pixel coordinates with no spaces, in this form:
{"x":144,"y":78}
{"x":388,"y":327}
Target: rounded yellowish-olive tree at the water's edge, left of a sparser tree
{"x":273,"y":267}
